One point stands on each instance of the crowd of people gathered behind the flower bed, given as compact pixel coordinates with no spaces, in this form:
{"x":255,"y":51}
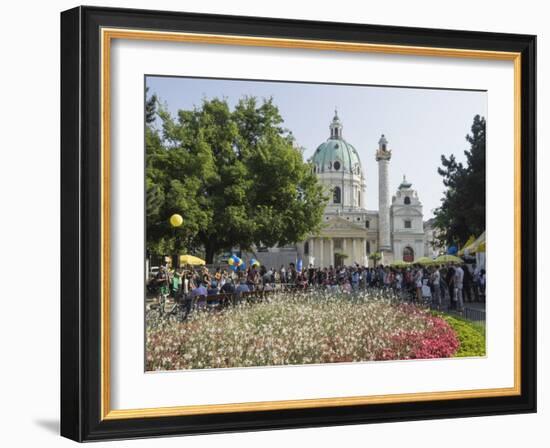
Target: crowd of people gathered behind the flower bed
{"x":452,"y":284}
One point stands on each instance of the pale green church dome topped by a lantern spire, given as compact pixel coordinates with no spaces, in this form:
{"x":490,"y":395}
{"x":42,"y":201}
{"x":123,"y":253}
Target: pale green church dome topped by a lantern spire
{"x":336,"y":154}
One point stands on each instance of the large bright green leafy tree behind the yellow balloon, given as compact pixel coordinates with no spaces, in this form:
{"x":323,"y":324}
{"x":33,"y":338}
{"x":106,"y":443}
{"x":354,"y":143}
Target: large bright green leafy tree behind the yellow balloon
{"x":235,"y":176}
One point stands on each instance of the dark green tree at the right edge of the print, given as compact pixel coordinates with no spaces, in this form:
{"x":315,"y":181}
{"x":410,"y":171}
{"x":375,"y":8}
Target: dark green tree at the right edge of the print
{"x":462,"y":210}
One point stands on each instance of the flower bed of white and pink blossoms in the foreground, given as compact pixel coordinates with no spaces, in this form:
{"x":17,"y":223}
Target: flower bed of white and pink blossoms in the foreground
{"x":300,"y":329}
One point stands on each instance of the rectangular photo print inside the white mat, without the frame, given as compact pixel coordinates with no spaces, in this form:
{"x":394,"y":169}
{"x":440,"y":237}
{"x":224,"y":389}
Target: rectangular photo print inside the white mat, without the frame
{"x":294,"y":223}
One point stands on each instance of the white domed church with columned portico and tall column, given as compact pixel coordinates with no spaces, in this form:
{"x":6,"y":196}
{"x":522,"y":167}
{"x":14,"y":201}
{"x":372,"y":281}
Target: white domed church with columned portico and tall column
{"x":351,"y":232}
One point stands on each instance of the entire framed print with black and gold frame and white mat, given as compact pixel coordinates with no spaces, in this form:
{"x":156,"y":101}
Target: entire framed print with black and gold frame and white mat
{"x":273,"y":223}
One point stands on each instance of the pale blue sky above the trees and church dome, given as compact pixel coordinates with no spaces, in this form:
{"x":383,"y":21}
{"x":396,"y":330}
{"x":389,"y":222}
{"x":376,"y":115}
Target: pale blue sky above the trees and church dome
{"x":420,"y":124}
